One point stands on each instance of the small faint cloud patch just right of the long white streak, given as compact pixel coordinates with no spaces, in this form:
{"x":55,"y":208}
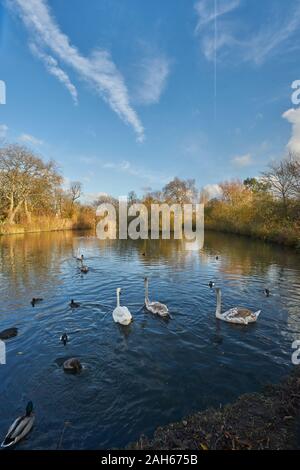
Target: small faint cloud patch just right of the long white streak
{"x":153,"y":77}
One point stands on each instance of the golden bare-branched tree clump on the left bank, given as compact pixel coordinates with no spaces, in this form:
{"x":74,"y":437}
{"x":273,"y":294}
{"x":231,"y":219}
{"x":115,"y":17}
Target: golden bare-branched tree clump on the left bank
{"x":31,"y":187}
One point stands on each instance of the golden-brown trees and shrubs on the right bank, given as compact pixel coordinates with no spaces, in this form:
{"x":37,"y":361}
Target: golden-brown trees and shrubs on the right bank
{"x":267,"y":207}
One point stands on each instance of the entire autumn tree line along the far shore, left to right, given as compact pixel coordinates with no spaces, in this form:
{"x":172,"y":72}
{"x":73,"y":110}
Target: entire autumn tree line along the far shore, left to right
{"x":267,"y":207}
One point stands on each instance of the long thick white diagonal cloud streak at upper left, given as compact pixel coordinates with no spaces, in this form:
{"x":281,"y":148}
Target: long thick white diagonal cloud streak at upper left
{"x":98,"y":69}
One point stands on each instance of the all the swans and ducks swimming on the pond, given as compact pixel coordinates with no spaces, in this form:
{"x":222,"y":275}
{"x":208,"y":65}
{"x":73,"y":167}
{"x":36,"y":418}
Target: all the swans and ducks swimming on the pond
{"x":121,"y":314}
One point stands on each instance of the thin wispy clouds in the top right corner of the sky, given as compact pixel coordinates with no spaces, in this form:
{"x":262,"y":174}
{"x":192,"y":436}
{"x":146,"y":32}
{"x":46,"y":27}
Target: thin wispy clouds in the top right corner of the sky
{"x":273,"y":36}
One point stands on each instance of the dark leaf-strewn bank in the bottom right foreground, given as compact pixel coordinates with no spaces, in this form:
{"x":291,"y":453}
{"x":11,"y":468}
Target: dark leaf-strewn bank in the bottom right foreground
{"x":266,"y":420}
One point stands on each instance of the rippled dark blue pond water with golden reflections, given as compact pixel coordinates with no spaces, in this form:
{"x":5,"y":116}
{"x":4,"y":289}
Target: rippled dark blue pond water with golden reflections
{"x":153,"y":372}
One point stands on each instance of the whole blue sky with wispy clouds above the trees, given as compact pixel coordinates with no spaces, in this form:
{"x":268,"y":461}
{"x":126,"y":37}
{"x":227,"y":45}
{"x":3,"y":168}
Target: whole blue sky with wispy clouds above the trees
{"x":126,"y":94}
